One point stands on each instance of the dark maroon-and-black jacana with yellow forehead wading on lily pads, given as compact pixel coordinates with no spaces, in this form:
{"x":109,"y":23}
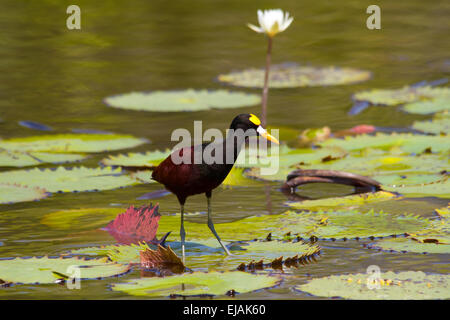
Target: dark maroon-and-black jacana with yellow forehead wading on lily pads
{"x":205,"y":166}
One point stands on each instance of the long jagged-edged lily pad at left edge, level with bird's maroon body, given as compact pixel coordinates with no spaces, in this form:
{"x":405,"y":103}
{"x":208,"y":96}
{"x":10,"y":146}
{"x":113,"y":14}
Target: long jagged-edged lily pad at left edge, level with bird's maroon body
{"x":63,"y":179}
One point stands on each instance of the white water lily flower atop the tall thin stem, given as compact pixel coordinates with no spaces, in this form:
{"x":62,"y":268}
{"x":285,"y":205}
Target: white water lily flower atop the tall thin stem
{"x":272,"y":22}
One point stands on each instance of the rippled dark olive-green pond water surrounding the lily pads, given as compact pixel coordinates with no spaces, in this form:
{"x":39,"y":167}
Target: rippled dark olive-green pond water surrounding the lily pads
{"x":59,"y":77}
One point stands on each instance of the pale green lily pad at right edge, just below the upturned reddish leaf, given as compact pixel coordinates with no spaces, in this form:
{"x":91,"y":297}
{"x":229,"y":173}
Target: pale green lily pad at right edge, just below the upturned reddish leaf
{"x":407,"y":142}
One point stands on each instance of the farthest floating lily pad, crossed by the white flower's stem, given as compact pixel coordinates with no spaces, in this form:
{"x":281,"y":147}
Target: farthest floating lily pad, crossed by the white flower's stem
{"x":292,"y":75}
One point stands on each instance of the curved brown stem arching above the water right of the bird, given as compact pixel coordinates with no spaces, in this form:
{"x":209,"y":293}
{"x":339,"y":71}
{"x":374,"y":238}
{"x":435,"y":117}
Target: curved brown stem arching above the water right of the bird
{"x":299,"y":177}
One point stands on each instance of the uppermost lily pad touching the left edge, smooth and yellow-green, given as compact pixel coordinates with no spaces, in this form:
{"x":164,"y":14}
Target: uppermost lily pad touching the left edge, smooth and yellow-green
{"x":72,"y":142}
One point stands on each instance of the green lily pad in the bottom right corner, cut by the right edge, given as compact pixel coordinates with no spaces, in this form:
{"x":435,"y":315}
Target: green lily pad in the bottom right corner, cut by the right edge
{"x":411,"y":285}
